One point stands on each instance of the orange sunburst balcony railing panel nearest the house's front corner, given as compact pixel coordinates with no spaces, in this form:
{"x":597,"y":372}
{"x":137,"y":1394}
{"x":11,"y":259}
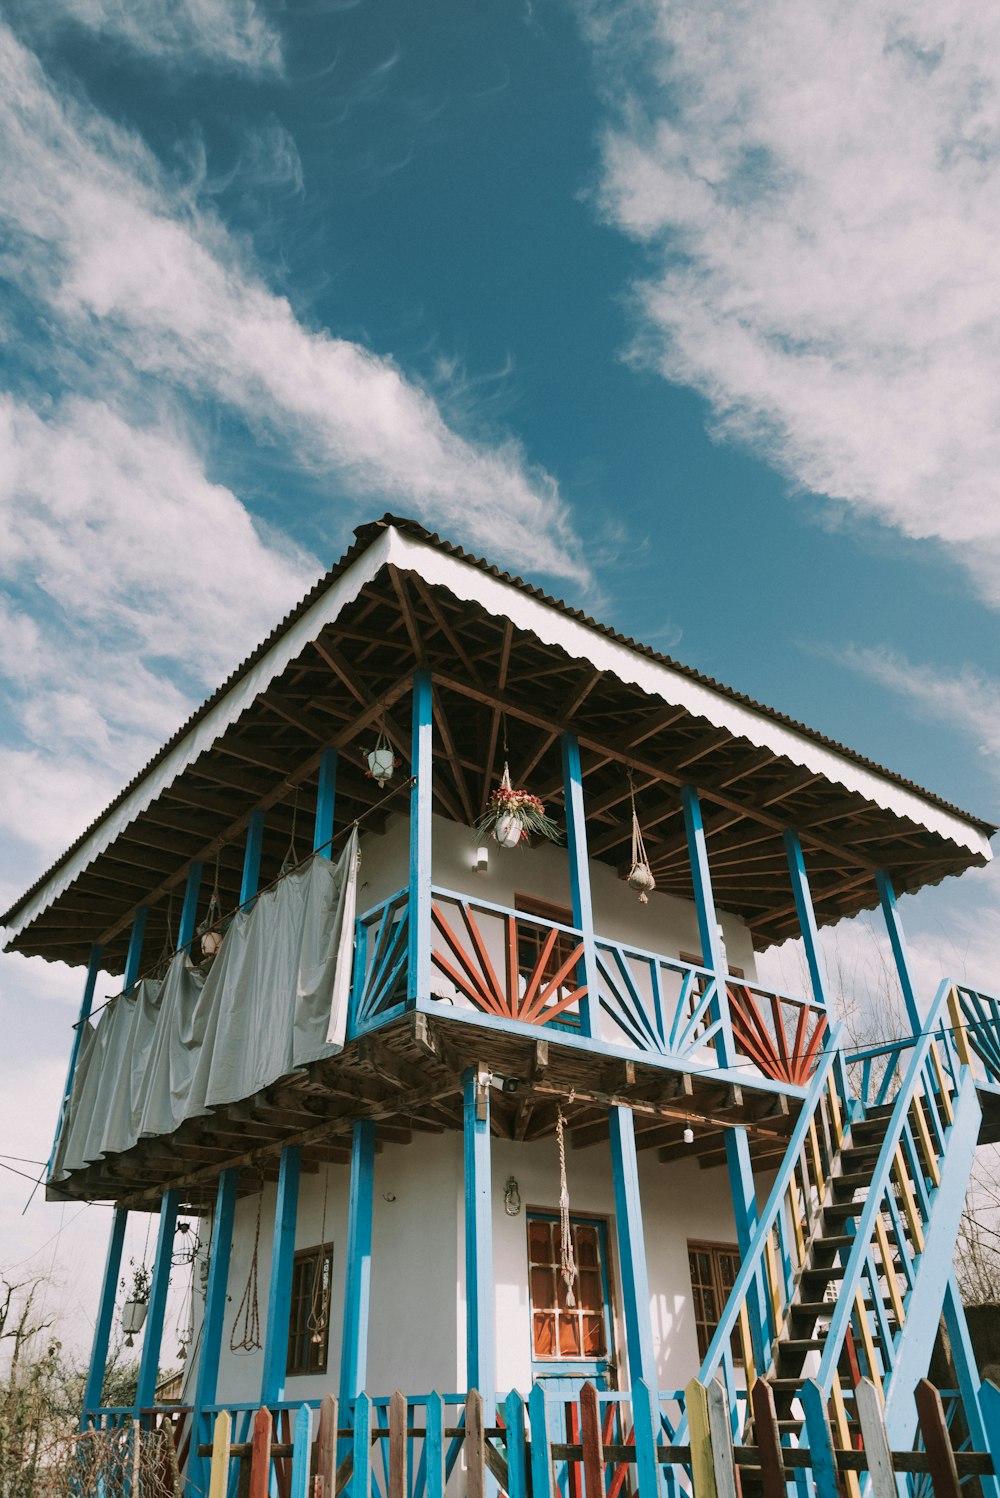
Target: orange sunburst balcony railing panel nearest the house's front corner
{"x":535,"y":995}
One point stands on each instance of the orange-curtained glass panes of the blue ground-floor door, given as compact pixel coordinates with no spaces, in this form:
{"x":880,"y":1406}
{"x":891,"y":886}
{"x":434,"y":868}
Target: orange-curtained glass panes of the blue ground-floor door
{"x":561,"y":1332}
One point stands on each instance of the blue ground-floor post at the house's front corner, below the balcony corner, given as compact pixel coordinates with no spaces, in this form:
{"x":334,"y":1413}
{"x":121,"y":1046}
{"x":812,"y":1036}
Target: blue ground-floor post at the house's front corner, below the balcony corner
{"x":480,"y":1295}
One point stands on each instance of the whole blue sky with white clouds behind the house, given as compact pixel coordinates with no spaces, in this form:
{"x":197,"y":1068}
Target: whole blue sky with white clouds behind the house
{"x":688,"y":314}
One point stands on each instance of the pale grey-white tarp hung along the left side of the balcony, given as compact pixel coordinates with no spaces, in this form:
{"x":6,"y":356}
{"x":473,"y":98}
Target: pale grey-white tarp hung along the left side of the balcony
{"x":275,"y":1000}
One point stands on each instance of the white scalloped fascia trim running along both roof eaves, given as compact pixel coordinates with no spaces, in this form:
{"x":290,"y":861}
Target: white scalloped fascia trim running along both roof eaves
{"x":553,"y":627}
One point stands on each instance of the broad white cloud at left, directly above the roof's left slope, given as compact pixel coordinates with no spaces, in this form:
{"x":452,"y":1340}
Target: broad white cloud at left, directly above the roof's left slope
{"x":140,"y":586}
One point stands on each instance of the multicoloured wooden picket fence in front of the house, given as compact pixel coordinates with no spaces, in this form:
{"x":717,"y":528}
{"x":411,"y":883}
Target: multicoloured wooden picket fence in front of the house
{"x":520,"y":1458}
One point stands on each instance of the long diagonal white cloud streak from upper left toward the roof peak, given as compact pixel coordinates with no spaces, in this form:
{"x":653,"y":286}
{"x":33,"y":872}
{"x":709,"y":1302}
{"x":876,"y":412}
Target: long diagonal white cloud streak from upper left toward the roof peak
{"x":138,"y":273}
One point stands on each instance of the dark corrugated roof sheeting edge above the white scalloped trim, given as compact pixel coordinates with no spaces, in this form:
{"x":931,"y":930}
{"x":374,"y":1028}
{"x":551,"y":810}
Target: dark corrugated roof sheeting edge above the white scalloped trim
{"x":365,"y":536}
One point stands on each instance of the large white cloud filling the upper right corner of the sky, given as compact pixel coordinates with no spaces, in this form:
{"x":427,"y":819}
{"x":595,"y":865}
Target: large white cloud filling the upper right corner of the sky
{"x":818,"y":191}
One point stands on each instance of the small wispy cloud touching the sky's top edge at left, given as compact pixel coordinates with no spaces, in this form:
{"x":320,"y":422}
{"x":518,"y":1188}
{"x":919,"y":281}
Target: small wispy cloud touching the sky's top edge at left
{"x":216,"y":34}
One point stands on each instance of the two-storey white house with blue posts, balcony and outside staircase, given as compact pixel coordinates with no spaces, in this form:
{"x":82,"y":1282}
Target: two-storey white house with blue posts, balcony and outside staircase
{"x":459,"y":1109}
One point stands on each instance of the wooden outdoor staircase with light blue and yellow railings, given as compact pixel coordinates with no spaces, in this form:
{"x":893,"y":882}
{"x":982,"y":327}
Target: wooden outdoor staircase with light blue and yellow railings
{"x":850,"y":1265}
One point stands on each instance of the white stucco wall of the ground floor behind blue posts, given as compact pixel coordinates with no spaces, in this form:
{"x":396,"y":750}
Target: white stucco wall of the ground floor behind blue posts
{"x":418,"y":1274}
